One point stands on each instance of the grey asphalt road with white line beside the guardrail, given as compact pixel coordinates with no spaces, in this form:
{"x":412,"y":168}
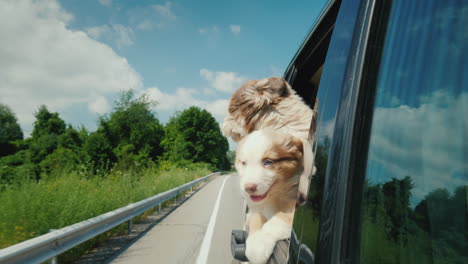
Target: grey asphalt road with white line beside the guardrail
{"x":199,"y":231}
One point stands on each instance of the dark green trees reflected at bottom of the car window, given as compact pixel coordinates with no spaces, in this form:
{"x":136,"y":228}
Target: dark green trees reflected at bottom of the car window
{"x":432,"y":232}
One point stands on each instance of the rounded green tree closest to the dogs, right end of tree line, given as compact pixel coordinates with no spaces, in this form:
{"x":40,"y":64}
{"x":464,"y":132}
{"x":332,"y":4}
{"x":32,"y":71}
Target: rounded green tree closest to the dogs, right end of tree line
{"x":194,"y":134}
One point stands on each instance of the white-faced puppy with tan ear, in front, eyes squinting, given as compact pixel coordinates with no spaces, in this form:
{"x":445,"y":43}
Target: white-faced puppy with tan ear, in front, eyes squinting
{"x":269,"y":164}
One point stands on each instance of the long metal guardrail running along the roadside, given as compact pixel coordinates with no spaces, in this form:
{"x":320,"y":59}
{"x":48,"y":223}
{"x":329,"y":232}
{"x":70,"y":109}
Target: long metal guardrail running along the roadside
{"x":47,"y":246}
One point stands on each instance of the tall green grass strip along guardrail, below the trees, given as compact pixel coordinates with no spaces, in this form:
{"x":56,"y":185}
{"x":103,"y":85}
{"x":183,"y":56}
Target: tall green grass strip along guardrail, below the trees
{"x":30,"y":209}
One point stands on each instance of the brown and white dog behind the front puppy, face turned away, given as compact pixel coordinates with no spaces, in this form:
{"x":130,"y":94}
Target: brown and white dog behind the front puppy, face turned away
{"x":272,"y":103}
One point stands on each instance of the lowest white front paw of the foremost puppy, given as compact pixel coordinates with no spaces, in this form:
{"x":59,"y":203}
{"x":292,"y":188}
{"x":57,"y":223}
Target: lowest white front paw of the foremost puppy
{"x":259,"y":247}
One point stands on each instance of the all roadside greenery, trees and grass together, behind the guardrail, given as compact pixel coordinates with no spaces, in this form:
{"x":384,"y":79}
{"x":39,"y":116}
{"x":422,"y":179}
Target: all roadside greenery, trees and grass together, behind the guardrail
{"x":62,"y":175}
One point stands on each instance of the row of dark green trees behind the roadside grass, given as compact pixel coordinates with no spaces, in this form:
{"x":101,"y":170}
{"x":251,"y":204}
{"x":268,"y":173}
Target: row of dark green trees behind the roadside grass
{"x":130,"y":137}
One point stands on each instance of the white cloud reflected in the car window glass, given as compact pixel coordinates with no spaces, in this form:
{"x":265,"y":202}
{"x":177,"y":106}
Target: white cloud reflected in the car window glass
{"x":427,"y":142}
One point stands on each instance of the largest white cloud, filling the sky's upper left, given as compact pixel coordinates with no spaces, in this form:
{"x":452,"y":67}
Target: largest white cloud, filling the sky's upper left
{"x":44,"y":62}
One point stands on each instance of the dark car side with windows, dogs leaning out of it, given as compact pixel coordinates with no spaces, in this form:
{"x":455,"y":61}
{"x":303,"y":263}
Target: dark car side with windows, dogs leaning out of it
{"x":391,"y":78}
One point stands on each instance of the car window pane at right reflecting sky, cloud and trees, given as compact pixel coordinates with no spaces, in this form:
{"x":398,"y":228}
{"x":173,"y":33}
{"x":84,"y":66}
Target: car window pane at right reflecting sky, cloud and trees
{"x":415,"y":199}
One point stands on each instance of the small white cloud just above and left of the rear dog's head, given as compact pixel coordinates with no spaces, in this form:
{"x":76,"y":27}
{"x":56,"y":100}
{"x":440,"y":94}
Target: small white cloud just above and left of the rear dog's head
{"x":223,"y":81}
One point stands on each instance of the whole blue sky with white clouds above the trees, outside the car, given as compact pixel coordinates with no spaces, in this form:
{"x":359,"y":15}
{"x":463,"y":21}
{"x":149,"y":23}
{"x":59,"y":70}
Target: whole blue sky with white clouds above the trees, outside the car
{"x":76,"y":56}
